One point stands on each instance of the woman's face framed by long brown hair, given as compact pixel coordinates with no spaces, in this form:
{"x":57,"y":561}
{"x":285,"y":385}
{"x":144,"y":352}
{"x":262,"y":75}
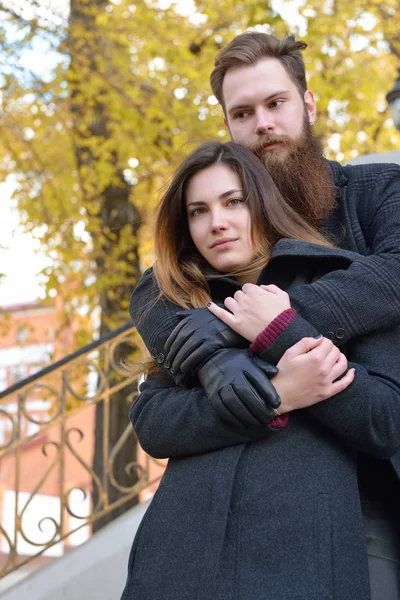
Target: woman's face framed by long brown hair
{"x":219,"y":218}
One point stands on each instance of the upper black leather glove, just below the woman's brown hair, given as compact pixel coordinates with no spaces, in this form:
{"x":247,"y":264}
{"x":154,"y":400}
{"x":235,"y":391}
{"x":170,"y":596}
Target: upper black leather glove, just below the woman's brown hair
{"x":196,"y":338}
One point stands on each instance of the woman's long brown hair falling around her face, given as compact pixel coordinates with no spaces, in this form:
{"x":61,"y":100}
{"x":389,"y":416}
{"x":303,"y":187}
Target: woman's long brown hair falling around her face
{"x":179,"y":267}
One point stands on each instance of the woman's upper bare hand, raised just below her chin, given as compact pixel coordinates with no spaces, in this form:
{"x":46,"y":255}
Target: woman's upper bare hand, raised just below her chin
{"x":252,"y":309}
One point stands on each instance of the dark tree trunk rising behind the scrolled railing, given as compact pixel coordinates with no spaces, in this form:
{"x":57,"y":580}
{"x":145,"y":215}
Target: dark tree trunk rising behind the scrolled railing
{"x":118,"y":217}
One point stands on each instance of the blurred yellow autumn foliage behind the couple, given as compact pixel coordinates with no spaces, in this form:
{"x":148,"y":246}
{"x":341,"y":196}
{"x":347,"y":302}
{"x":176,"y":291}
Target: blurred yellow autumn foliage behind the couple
{"x":94,"y":137}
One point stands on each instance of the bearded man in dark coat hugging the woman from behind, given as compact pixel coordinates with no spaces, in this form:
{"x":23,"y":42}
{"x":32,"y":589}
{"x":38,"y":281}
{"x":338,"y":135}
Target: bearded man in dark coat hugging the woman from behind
{"x":261,"y":85}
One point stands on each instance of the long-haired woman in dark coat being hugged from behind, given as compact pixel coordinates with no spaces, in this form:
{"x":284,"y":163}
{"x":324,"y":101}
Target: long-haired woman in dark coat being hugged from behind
{"x":248,"y":508}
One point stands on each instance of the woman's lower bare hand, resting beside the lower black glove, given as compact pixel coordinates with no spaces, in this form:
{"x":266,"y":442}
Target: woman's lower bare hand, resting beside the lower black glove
{"x":308,"y":372}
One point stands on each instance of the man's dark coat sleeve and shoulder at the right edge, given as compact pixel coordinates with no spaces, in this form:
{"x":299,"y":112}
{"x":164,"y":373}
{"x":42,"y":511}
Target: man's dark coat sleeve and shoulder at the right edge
{"x":365,"y":297}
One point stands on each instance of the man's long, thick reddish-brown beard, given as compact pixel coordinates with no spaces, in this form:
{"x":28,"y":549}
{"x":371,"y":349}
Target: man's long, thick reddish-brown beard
{"x":303,"y":176}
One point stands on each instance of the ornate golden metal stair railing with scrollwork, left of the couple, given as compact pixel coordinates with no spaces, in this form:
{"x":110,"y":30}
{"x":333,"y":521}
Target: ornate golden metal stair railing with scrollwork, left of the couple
{"x":47,"y":462}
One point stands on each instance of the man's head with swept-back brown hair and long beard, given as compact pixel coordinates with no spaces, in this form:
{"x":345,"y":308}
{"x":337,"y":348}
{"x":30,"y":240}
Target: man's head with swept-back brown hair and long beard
{"x":268,"y":109}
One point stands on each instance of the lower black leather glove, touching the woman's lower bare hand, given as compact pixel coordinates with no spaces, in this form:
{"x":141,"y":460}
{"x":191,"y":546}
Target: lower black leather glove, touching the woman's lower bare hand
{"x":239,"y":388}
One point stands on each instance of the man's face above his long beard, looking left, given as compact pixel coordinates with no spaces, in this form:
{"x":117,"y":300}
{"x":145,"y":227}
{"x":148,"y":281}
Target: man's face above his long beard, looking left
{"x":262,"y":105}
